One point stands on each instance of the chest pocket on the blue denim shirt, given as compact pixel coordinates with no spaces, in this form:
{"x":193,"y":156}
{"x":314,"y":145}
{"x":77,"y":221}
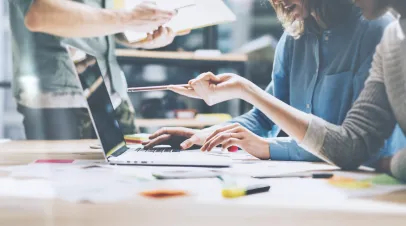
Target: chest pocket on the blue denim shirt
{"x":335,"y":96}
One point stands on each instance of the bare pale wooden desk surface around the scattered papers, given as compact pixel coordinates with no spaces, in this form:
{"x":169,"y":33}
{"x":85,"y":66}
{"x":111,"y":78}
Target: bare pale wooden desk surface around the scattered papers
{"x":383,"y":210}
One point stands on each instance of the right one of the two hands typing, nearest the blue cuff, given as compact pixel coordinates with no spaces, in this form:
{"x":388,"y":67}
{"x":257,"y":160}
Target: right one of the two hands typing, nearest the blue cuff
{"x":237,"y":135}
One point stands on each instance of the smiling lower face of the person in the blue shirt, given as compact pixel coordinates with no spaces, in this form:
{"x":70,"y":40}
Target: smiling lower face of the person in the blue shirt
{"x":296,"y":9}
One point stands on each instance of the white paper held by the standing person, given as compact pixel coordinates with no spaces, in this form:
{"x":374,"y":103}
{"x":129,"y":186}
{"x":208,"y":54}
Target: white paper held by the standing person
{"x":192,"y":14}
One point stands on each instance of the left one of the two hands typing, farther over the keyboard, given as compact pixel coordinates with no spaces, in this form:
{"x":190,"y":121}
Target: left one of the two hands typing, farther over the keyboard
{"x":176,"y":137}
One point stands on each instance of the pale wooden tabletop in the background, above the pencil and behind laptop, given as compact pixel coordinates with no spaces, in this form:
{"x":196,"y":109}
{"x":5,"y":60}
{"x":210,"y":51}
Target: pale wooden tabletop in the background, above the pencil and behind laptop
{"x":179,"y":55}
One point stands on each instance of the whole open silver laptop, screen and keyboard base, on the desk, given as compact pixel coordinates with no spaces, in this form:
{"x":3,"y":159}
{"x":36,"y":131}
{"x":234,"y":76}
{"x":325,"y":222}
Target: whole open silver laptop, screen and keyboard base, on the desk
{"x":111,"y":137}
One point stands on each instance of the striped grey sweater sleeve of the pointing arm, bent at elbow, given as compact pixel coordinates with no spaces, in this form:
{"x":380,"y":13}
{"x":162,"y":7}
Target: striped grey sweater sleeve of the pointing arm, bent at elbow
{"x":362,"y":134}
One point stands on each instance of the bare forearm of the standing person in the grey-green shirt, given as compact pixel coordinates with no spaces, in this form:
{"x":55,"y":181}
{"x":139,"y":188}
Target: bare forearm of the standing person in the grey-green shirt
{"x":71,"y":19}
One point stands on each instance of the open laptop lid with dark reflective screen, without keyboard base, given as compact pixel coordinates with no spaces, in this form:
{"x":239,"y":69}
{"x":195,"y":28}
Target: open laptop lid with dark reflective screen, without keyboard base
{"x":100,"y":107}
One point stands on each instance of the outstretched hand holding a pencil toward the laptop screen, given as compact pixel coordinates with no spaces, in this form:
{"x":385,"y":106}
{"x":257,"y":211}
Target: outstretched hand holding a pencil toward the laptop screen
{"x":215,"y":89}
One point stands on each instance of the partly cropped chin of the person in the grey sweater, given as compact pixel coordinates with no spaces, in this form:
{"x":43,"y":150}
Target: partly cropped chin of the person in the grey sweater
{"x":372,"y":9}
